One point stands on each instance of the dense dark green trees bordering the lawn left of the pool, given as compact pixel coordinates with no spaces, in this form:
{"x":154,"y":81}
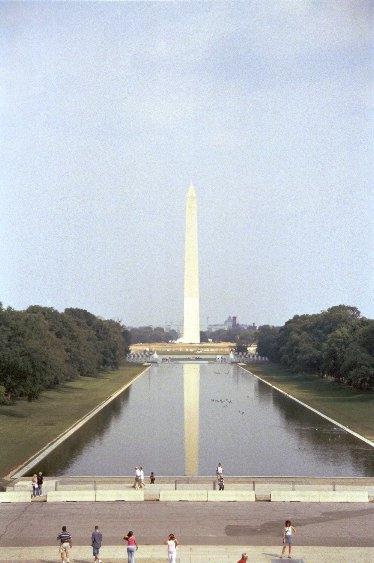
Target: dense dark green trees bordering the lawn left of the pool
{"x":41,"y":348}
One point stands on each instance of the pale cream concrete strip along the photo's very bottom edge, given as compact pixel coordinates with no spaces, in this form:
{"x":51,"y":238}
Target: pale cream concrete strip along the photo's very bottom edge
{"x":193,"y":554}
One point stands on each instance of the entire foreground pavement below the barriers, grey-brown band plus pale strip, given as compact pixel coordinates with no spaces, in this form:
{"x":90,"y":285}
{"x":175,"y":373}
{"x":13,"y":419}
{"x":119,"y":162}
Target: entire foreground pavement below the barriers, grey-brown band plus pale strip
{"x":215,"y":532}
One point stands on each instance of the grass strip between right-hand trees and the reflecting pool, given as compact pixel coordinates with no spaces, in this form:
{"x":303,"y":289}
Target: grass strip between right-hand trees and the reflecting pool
{"x":354,"y":409}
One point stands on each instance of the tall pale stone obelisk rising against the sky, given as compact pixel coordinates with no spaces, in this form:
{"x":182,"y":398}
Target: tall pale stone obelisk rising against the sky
{"x":191,"y":325}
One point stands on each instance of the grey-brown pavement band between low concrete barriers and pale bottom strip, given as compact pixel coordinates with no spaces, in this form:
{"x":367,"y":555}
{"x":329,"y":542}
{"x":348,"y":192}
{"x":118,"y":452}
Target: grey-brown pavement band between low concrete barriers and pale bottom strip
{"x":194,"y":523}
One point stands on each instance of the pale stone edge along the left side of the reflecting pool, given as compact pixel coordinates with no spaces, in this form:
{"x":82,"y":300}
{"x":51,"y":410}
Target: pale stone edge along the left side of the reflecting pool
{"x":21,"y":469}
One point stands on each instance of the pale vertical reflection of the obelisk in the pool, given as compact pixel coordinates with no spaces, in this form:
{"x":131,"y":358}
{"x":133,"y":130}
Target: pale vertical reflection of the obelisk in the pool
{"x":191,"y":396}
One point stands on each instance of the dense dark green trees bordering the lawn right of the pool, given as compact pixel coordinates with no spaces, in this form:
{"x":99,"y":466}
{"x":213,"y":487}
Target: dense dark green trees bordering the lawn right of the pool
{"x":337,"y":343}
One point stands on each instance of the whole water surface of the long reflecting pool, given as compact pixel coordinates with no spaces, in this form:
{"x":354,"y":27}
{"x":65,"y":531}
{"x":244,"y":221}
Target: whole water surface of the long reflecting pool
{"x":172,"y":425}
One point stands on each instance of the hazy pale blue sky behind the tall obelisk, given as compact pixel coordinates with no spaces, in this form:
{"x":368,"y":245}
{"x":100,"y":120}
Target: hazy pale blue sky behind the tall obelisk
{"x":107,"y":110}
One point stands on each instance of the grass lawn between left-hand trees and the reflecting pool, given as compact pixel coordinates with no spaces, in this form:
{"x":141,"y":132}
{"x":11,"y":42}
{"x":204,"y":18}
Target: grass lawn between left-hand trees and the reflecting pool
{"x":25,"y":427}
